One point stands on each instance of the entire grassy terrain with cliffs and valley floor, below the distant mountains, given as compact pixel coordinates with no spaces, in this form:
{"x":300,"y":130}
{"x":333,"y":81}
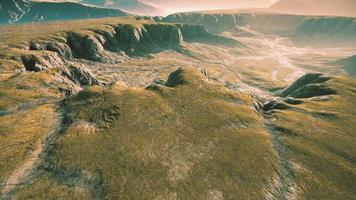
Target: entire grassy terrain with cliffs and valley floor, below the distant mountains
{"x":119,"y":108}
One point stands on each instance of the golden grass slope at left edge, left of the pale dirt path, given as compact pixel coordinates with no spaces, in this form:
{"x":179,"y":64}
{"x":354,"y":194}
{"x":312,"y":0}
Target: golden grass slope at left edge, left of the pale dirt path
{"x":20,"y":133}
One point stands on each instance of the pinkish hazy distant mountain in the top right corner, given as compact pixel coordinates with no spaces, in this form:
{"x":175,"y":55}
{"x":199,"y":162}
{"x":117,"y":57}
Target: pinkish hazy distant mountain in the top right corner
{"x":316,"y":7}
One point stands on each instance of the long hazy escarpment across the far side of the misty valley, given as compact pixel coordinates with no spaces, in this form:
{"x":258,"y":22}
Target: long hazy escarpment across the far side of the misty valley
{"x":324,"y":30}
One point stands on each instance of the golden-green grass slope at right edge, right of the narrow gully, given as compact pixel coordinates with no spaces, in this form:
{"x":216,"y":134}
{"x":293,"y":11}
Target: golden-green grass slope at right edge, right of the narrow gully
{"x":320,"y":135}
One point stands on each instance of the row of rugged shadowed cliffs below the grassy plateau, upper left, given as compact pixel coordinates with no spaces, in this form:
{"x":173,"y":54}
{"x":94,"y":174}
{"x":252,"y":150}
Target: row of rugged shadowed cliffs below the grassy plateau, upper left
{"x":93,"y":45}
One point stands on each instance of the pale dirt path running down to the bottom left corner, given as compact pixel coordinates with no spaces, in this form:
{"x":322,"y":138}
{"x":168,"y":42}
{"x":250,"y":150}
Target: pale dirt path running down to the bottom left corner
{"x":24,"y":172}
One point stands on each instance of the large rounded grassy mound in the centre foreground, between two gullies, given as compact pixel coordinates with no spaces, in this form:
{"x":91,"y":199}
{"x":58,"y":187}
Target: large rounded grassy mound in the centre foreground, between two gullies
{"x":189,"y":139}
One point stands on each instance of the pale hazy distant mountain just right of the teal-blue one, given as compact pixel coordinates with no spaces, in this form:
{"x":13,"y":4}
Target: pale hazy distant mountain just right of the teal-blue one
{"x":135,"y":6}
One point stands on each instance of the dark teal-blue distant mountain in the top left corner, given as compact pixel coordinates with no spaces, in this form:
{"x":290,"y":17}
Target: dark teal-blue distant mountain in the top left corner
{"x":24,"y":11}
